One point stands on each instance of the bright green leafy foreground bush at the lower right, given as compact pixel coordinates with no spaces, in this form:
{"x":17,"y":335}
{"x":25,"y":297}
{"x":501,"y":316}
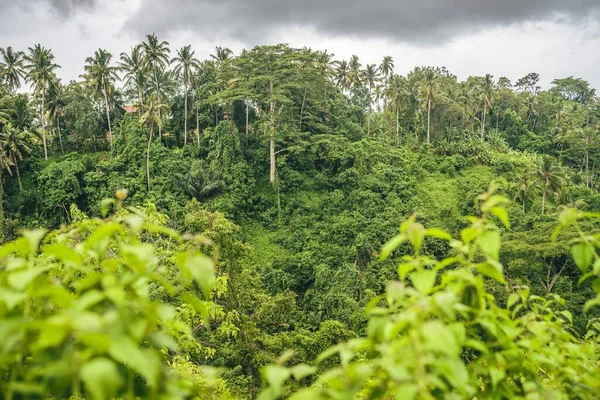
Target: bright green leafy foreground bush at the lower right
{"x":438,"y":333}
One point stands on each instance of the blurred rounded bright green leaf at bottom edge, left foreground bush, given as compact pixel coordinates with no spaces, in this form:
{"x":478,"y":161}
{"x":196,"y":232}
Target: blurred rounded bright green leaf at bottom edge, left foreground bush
{"x":101,"y":378}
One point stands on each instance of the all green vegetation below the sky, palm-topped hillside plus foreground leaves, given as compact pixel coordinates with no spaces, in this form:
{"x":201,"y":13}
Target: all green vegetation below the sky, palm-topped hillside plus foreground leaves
{"x":281,"y":223}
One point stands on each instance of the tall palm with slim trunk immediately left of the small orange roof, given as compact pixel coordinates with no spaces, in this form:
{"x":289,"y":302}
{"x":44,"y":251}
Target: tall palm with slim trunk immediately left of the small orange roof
{"x":99,"y":76}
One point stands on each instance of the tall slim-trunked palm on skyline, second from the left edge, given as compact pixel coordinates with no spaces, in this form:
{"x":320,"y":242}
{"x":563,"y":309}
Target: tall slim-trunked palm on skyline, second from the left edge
{"x":40,"y":69}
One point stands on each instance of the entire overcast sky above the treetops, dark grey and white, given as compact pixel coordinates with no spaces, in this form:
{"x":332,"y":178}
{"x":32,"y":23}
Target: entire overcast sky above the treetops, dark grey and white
{"x":556,"y":38}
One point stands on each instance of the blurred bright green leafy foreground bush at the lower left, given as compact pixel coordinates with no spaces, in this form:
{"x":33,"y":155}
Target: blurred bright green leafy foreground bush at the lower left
{"x":80,"y":314}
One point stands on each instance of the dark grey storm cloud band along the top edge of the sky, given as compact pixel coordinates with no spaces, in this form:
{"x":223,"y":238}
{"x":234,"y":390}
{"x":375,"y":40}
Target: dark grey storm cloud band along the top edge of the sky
{"x":422,"y":21}
